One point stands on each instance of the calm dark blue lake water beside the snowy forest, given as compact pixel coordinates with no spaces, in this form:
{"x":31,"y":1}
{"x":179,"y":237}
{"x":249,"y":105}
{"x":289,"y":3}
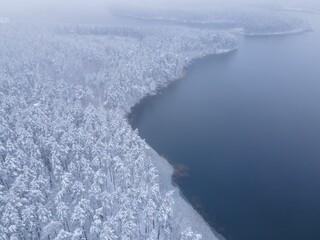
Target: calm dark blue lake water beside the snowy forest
{"x":247,"y":127}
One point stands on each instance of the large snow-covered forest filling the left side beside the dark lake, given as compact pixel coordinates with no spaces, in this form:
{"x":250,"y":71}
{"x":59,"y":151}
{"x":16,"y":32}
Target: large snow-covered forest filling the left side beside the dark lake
{"x":71,"y":167}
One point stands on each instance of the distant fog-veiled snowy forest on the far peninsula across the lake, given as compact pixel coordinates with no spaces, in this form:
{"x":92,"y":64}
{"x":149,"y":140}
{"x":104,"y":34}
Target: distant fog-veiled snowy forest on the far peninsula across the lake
{"x":252,"y":21}
